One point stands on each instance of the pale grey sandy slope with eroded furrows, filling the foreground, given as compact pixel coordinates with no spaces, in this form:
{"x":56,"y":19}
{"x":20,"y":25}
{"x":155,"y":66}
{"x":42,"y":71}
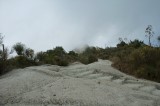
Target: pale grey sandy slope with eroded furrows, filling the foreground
{"x":96,"y":84}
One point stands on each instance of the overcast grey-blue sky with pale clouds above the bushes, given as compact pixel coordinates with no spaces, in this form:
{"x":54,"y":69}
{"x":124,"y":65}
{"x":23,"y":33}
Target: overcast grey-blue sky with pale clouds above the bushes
{"x":44,"y":24}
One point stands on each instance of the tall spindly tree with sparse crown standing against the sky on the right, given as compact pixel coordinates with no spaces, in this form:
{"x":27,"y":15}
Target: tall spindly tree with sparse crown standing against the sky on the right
{"x":149,"y":33}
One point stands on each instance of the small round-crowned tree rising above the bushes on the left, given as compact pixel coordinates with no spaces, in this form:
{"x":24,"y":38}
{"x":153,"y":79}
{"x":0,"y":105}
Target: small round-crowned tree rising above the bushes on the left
{"x":19,"y":48}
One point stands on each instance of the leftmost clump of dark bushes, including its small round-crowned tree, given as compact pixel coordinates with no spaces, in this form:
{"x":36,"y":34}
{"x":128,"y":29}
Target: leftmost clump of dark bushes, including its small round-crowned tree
{"x":24,"y":58}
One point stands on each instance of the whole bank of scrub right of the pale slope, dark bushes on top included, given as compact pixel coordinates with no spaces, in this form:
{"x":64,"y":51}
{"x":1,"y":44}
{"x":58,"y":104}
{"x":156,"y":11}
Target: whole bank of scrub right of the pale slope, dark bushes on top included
{"x":135,"y":58}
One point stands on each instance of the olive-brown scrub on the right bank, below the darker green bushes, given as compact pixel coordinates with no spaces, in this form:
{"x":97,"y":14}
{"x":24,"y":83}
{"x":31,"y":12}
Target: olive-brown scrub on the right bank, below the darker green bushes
{"x":143,"y":62}
